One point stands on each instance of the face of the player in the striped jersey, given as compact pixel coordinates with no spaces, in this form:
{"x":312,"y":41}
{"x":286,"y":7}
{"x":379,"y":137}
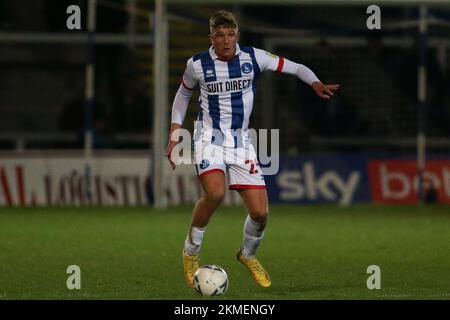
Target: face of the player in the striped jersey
{"x":224,"y":42}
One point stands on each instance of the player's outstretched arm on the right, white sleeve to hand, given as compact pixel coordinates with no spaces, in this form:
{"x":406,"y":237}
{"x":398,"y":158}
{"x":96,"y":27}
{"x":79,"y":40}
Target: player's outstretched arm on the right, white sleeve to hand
{"x":269,"y":61}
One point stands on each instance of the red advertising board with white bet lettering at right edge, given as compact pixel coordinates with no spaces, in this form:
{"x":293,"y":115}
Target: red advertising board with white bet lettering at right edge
{"x":395,"y":181}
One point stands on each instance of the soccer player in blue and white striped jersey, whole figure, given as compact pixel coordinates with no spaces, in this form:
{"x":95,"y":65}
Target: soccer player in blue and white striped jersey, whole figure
{"x":226,"y":75}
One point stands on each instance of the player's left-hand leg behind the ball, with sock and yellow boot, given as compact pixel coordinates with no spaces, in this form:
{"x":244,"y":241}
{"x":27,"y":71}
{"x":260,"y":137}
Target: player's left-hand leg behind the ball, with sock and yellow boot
{"x":213,"y":187}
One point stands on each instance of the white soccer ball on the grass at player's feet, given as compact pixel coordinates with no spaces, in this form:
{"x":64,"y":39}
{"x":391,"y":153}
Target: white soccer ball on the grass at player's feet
{"x":210,"y":280}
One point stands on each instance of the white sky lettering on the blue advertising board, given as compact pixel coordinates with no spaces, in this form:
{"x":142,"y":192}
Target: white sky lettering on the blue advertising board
{"x":305,"y":184}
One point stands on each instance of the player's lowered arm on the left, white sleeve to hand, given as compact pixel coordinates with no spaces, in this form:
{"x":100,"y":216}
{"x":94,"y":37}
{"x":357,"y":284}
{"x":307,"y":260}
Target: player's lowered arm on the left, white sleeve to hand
{"x":179,"y":108}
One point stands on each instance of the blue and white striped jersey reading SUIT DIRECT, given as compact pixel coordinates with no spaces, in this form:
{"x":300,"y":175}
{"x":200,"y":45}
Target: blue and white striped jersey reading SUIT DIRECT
{"x":227,"y":91}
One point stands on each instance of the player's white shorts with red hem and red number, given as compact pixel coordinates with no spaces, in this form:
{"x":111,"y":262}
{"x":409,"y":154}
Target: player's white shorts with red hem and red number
{"x":241,"y":164}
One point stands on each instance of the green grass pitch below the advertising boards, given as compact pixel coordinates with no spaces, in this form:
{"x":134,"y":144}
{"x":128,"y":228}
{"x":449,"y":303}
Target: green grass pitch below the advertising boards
{"x":311,"y":252}
